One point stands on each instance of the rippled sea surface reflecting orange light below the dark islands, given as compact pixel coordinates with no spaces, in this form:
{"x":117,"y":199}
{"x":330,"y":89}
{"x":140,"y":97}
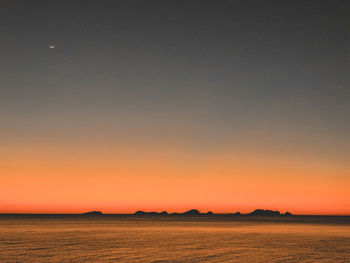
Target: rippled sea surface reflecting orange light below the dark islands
{"x":173,"y":239}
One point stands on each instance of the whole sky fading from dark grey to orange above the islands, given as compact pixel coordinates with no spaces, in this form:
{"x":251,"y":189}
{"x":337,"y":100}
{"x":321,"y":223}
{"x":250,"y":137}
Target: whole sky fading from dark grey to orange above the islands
{"x":172,"y":105}
